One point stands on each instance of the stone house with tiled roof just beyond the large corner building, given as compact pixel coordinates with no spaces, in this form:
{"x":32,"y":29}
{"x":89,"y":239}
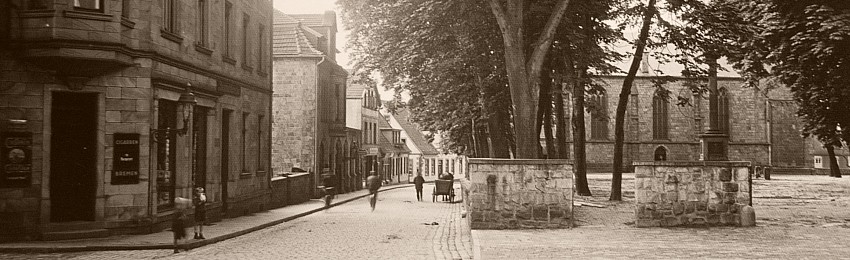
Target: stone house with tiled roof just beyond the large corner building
{"x":309,"y":101}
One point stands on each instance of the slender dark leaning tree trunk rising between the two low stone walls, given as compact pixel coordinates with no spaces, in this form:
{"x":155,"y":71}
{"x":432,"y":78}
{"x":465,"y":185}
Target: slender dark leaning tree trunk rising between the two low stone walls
{"x":623,"y":102}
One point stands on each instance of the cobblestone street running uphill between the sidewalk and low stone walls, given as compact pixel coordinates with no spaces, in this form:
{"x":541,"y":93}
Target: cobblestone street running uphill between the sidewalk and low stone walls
{"x":400,"y":228}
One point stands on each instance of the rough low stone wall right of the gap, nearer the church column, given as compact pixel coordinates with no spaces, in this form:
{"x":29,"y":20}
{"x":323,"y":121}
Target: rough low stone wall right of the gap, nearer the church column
{"x":690,"y":193}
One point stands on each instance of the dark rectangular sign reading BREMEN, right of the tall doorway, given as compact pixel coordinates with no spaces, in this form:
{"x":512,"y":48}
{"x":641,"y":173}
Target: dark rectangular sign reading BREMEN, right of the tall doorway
{"x":125,"y":159}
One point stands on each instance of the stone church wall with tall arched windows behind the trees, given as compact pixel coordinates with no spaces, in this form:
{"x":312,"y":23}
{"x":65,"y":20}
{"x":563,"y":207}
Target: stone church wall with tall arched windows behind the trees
{"x":749,"y":126}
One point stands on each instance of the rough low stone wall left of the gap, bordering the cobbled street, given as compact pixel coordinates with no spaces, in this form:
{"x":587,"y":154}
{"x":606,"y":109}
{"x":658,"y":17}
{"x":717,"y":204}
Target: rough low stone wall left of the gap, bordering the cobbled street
{"x":507,"y":194}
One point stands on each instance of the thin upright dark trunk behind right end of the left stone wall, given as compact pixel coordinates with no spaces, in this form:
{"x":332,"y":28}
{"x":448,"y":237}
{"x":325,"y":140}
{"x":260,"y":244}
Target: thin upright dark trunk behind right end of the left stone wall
{"x":579,"y":134}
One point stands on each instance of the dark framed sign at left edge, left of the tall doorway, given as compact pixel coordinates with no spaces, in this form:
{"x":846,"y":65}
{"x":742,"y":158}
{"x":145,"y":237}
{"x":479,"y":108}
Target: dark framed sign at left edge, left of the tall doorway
{"x":16,"y":159}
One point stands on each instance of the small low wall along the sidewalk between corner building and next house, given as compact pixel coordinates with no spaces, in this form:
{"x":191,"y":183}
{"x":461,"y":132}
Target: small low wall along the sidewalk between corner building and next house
{"x":290,"y":189}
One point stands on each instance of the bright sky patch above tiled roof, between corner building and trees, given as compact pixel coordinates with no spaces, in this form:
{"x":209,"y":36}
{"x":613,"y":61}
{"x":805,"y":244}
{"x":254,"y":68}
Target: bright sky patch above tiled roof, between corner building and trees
{"x":318,"y":7}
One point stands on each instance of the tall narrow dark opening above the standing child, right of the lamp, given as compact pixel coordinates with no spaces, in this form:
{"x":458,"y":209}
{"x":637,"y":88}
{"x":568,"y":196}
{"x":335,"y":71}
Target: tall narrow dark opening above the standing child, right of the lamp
{"x":199,"y":134}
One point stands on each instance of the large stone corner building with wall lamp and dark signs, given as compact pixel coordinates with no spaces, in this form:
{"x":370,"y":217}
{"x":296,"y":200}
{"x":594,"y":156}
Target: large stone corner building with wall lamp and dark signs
{"x":112,"y":109}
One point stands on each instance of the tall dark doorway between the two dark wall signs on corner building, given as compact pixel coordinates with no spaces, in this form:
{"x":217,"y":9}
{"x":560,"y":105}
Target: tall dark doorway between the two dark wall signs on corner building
{"x":73,"y":154}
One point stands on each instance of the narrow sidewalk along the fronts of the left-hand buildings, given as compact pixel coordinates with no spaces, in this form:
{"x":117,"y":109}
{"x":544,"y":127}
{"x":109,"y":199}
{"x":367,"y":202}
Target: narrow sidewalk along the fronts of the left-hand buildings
{"x":219,"y":231}
